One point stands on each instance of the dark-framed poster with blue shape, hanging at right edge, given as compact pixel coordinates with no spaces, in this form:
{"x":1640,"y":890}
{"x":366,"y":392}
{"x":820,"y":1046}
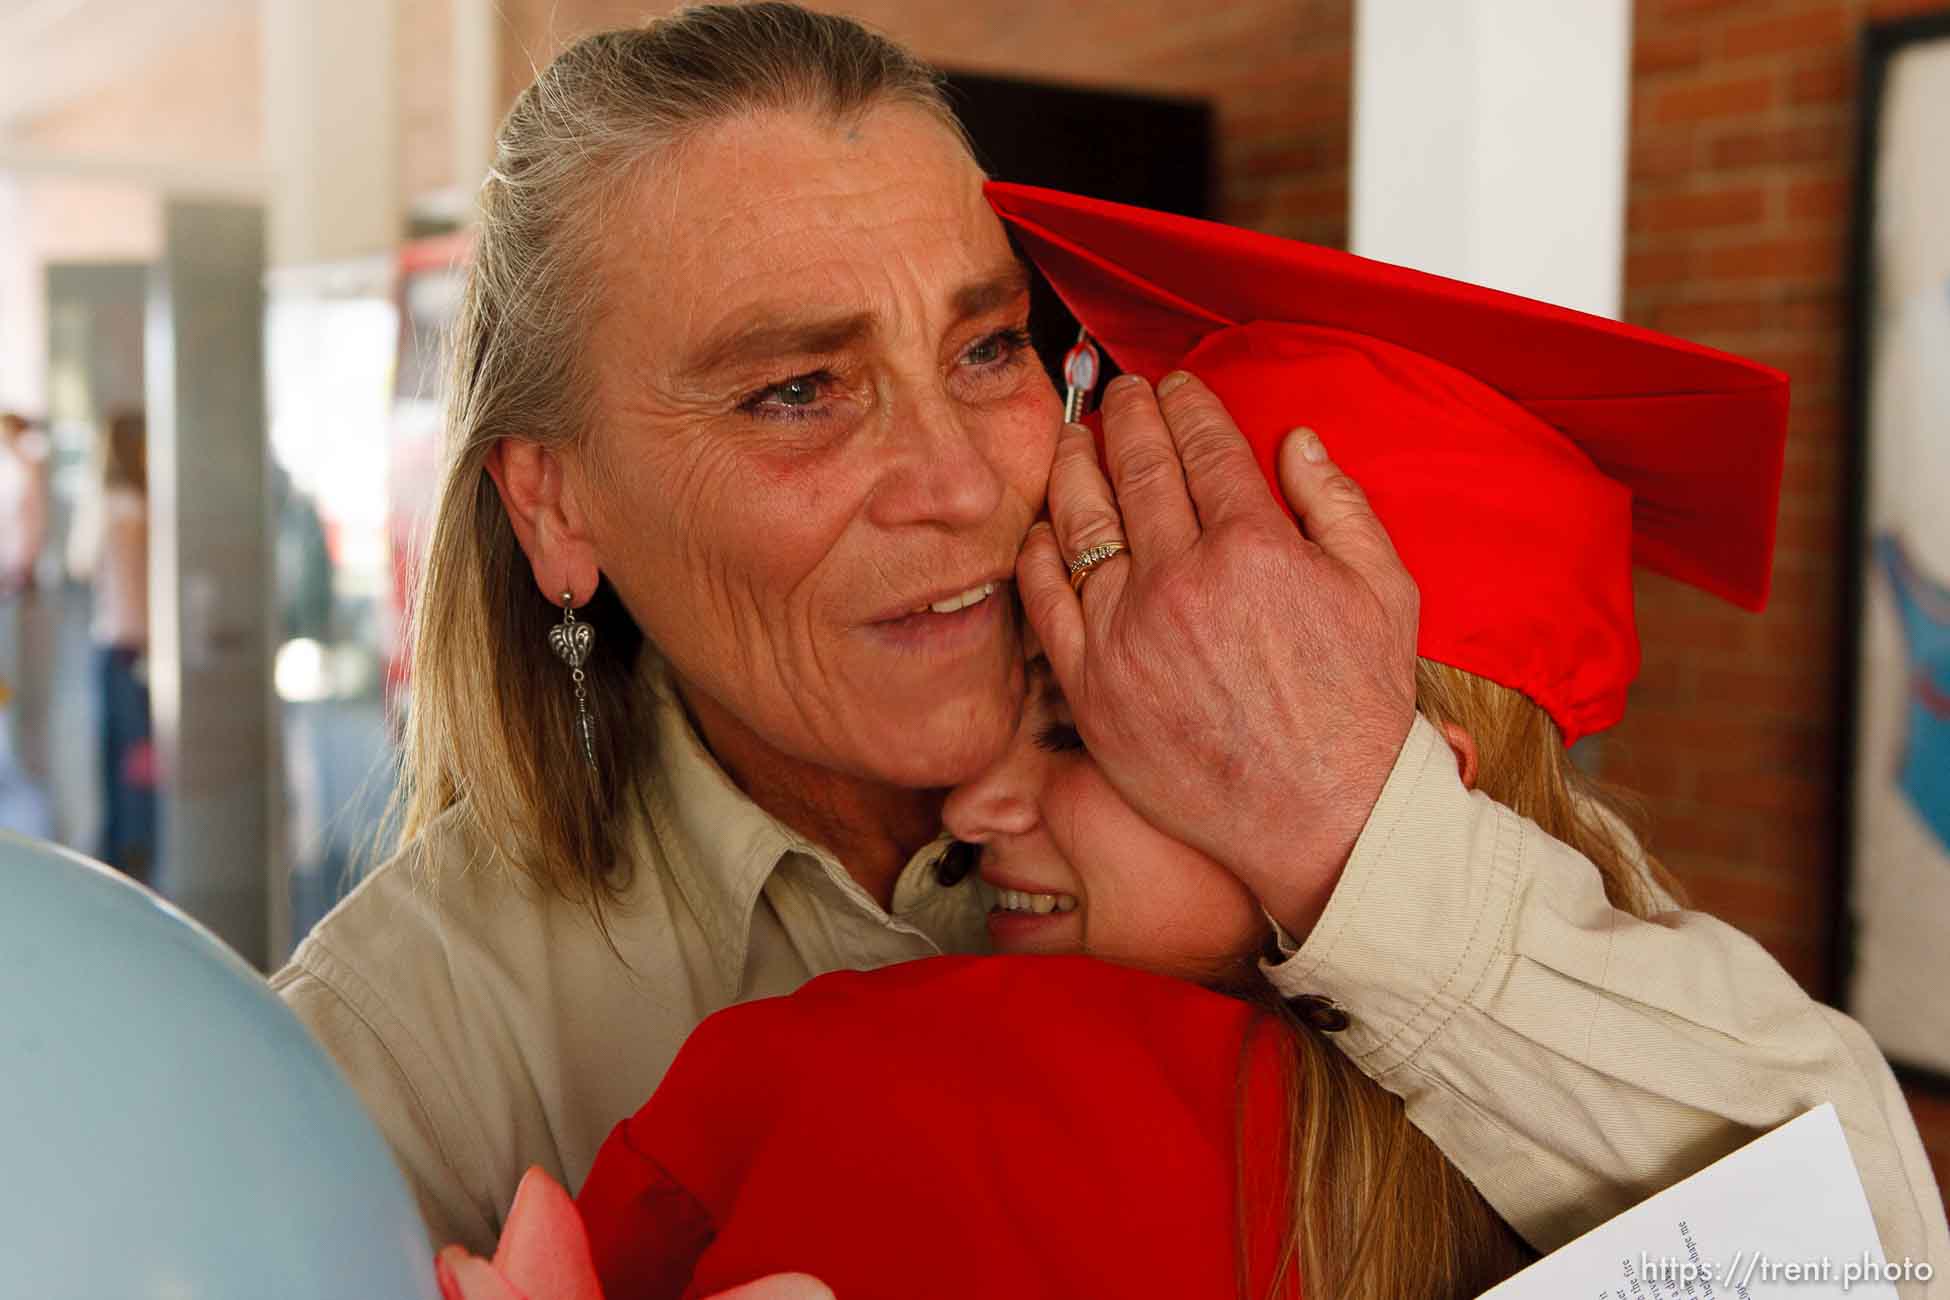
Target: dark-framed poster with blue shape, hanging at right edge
{"x":1898,"y":825}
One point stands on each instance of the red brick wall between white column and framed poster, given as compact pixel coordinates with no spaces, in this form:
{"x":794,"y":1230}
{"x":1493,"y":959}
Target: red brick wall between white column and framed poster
{"x":1736,"y":237}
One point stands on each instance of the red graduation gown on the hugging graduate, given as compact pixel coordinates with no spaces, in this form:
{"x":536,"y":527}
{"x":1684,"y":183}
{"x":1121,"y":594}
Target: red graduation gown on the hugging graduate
{"x":955,"y":1128}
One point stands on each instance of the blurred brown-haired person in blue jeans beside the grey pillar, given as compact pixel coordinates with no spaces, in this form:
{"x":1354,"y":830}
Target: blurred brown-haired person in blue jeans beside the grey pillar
{"x":110,"y":549}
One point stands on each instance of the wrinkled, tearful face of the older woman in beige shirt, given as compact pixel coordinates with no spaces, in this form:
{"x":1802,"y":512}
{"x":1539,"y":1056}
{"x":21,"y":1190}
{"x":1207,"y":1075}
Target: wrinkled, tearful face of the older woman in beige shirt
{"x":824,"y":438}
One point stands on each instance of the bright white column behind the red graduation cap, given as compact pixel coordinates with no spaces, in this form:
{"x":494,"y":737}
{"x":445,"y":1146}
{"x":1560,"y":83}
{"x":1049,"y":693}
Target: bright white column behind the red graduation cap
{"x":1491,"y":143}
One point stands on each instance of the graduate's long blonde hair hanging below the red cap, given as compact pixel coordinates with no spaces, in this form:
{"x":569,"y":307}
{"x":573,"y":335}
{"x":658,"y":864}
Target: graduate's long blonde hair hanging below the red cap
{"x":1376,"y":1211}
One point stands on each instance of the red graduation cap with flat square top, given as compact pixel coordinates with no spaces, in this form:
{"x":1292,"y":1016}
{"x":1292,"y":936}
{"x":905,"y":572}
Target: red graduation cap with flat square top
{"x":1520,"y":455}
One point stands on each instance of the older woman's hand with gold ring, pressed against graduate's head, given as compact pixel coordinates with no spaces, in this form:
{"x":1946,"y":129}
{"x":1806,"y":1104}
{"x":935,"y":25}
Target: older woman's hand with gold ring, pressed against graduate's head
{"x":1245,"y":683}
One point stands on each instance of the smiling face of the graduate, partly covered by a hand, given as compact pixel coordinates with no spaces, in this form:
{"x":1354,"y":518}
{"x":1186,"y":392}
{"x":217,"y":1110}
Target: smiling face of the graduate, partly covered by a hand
{"x":1081,"y":872}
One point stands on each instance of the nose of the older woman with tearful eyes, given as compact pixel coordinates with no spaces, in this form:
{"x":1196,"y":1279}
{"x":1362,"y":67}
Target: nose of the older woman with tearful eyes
{"x":941,"y":469}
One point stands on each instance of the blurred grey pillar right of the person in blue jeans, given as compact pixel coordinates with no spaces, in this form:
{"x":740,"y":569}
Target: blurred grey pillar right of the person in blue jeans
{"x":212,"y":568}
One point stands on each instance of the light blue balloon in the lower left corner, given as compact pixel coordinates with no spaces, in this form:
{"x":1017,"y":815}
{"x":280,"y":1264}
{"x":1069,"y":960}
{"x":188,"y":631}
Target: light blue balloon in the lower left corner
{"x":169,"y":1129}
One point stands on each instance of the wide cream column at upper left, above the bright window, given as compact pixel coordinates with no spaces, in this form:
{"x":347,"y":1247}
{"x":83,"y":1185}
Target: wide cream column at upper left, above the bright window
{"x":331,"y":114}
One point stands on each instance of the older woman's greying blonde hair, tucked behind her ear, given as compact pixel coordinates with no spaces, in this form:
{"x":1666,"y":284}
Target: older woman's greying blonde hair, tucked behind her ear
{"x":492,"y":712}
